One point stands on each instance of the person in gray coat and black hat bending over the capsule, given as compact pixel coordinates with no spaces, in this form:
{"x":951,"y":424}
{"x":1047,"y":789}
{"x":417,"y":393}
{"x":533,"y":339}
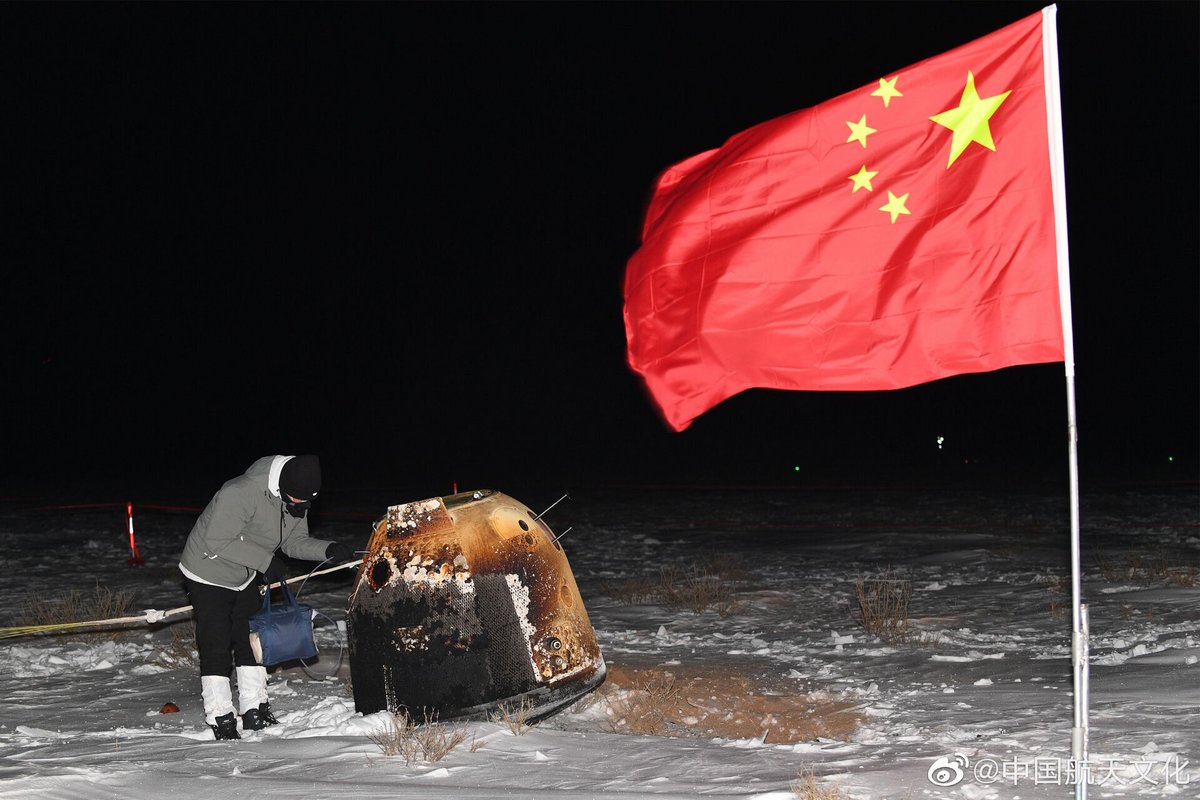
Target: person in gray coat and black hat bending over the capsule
{"x":233,"y":543}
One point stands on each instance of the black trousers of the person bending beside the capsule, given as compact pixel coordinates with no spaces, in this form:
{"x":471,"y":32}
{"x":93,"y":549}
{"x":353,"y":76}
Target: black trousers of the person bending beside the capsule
{"x":223,"y":624}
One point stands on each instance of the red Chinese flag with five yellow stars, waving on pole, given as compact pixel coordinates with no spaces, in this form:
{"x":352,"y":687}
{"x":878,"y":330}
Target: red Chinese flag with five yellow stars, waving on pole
{"x":897,"y":234}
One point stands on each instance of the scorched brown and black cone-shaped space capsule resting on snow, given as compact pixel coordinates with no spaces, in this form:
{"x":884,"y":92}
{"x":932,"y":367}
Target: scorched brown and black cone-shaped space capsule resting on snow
{"x":466,"y":604}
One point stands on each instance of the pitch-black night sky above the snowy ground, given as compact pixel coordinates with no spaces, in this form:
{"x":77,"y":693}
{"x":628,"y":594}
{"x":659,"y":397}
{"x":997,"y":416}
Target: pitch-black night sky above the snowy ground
{"x":394,"y":234}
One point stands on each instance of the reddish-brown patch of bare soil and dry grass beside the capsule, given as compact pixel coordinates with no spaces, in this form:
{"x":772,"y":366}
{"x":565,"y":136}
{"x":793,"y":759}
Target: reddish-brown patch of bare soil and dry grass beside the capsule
{"x":718,"y":705}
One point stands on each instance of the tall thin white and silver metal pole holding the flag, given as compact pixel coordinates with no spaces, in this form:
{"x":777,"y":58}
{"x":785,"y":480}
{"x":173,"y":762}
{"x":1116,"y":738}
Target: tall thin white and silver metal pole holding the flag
{"x":1059,"y":187}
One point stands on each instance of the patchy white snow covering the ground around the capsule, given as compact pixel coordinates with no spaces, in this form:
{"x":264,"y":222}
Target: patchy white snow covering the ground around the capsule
{"x":981,"y":684}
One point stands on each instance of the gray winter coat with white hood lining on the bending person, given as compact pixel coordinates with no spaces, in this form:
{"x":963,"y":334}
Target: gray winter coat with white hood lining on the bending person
{"x":243,"y":526}
